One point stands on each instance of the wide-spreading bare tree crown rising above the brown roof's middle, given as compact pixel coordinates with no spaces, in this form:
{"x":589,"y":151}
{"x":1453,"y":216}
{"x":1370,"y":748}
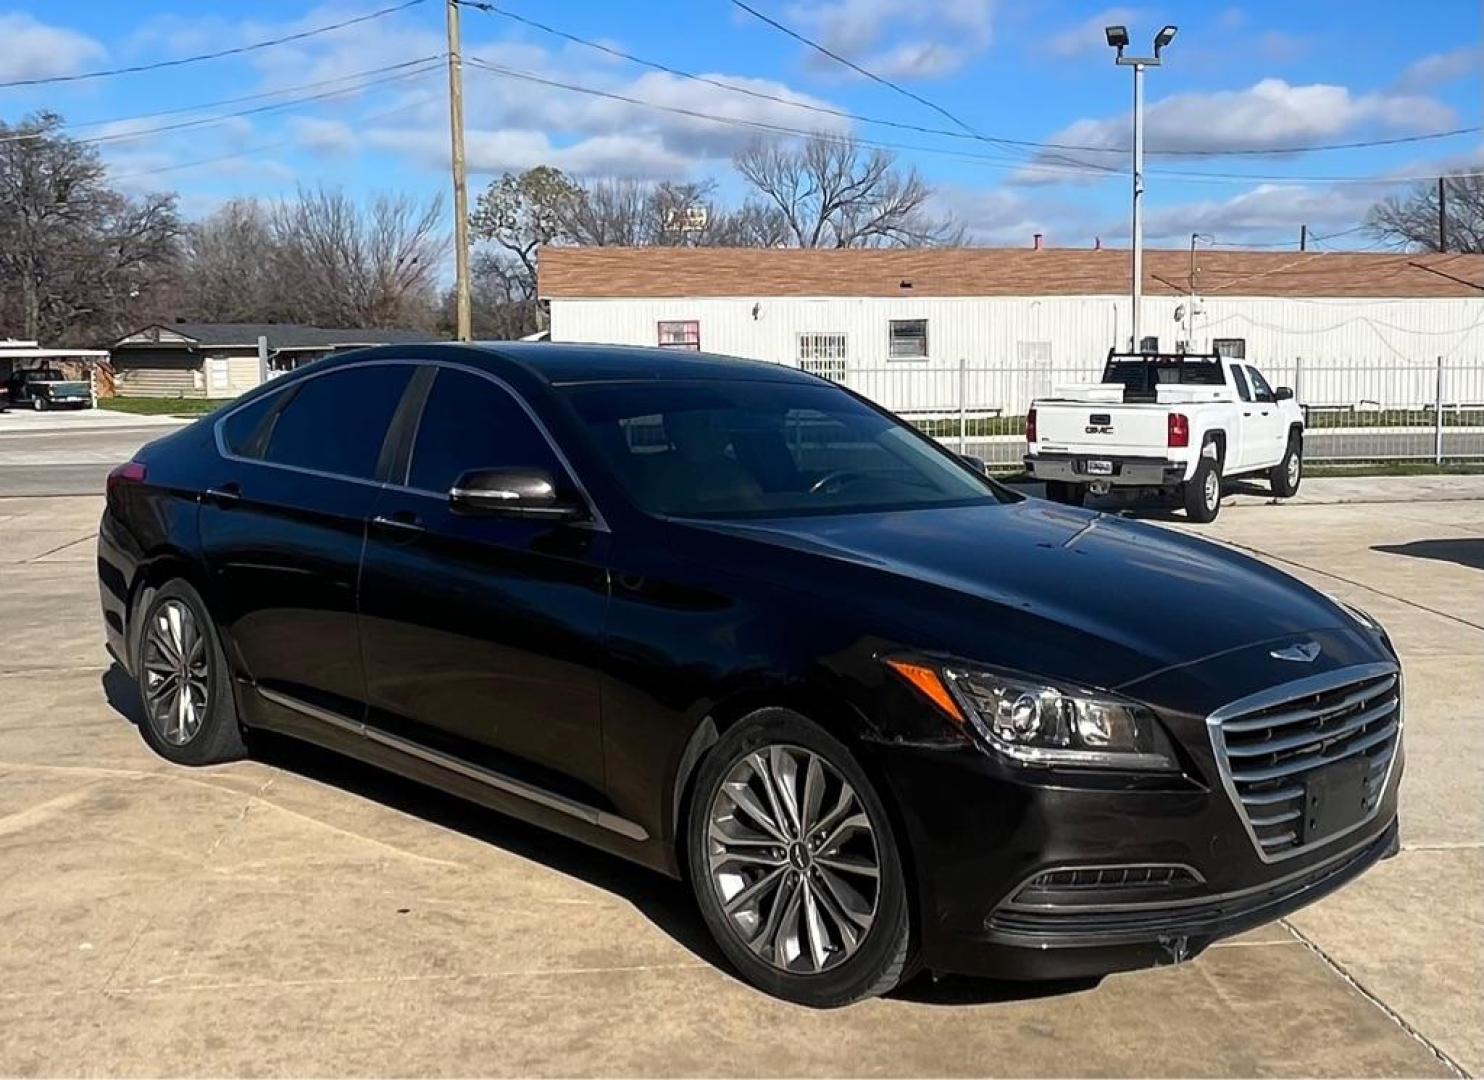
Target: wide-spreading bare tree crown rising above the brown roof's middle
{"x":833,"y":195}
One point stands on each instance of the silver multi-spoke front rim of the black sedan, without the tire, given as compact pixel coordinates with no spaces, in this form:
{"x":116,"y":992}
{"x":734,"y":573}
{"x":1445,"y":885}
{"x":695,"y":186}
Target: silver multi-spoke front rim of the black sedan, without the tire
{"x":793,"y":860}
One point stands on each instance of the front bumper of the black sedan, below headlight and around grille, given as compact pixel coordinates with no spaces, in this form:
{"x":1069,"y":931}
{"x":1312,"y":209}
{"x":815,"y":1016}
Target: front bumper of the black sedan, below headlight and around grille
{"x":1050,"y":875}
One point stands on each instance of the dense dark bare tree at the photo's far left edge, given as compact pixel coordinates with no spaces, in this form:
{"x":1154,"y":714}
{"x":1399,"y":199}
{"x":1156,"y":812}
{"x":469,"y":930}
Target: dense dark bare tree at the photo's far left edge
{"x":79,"y":259}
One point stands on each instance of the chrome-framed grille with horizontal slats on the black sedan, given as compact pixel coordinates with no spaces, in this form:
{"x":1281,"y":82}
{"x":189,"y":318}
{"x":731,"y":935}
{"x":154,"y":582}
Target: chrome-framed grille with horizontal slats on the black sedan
{"x":1274,"y":748}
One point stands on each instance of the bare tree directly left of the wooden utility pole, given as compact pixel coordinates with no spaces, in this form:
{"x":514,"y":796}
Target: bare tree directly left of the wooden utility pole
{"x":338,"y":265}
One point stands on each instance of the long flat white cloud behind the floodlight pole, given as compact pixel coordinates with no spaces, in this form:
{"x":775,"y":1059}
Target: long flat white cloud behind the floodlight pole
{"x":1270,"y":116}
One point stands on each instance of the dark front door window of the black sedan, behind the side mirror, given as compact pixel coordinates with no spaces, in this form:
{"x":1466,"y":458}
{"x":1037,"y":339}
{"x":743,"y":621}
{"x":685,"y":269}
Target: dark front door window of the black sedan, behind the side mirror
{"x":473,"y":424}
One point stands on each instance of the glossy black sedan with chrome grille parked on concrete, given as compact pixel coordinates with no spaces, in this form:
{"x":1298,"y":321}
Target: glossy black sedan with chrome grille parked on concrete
{"x":743,"y":627}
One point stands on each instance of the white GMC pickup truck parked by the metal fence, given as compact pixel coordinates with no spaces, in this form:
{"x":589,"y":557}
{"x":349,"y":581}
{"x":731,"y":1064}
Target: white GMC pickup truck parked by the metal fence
{"x":1176,"y":422}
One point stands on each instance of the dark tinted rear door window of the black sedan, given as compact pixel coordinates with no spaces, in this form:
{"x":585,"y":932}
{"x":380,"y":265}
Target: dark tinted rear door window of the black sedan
{"x":336,"y":424}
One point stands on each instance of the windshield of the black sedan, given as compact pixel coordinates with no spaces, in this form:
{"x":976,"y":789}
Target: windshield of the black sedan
{"x":726,"y":449}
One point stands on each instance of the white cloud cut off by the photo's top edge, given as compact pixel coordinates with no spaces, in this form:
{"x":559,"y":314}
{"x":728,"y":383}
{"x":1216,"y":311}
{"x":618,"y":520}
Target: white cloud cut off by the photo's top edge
{"x":897,"y":39}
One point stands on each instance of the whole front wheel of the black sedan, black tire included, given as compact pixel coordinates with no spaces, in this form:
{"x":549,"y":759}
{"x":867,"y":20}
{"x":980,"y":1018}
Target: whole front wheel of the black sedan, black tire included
{"x":790,"y":959}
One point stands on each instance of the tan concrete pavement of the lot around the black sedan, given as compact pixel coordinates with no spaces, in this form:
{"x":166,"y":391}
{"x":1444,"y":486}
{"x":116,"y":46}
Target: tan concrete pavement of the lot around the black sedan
{"x":305,"y":915}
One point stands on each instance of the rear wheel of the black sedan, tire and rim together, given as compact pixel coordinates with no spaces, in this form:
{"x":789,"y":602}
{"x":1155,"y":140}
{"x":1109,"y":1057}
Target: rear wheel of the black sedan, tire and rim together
{"x":207,"y":731}
